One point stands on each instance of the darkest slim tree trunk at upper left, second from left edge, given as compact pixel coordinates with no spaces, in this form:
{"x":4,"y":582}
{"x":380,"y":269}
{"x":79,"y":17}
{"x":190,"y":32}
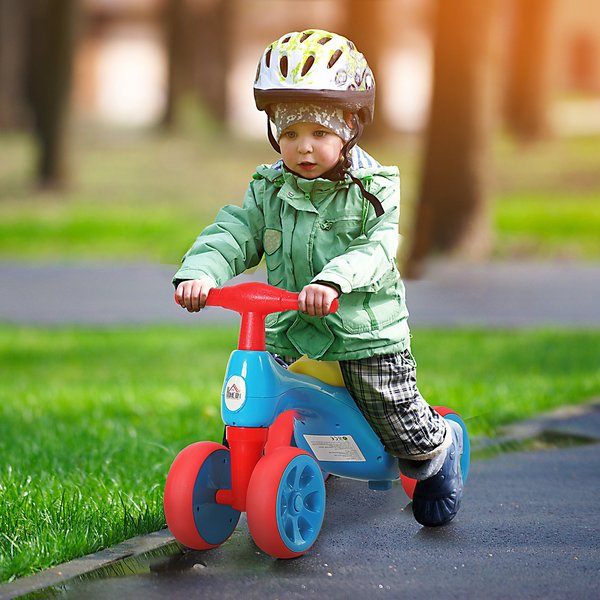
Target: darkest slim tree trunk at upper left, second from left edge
{"x":52,"y":43}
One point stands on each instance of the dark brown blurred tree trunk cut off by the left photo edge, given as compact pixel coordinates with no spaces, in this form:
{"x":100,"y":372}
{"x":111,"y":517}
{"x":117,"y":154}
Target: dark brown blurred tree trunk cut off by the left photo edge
{"x":13,"y":111}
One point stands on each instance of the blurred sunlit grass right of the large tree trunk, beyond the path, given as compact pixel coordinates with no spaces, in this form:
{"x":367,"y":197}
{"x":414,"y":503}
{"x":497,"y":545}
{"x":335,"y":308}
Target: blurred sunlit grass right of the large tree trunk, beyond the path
{"x":547,"y":202}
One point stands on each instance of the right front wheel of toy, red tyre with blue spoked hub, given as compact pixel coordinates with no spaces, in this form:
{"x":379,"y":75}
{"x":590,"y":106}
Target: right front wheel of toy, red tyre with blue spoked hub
{"x":285,"y":504}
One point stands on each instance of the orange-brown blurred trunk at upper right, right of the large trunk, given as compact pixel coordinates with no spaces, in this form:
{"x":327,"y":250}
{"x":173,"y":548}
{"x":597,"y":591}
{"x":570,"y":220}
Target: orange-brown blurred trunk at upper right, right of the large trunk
{"x":528,"y":80}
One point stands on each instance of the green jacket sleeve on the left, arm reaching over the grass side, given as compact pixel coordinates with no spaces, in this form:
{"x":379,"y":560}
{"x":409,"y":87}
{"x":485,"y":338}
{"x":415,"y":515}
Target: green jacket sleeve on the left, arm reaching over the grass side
{"x":227,"y":247}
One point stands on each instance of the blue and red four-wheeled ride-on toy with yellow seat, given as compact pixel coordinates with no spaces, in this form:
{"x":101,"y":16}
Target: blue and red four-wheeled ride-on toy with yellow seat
{"x":286,"y":430}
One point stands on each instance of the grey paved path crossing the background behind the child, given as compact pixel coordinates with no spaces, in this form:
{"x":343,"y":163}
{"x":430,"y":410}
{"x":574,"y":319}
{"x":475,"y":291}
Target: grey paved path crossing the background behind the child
{"x":503,"y":294}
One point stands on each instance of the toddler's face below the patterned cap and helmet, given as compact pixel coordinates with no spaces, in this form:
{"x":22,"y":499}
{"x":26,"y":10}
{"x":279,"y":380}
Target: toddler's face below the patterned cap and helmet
{"x":310,"y":149}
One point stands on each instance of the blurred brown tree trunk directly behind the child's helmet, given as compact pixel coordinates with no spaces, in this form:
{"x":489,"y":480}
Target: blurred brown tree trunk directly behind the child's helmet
{"x":364,"y":25}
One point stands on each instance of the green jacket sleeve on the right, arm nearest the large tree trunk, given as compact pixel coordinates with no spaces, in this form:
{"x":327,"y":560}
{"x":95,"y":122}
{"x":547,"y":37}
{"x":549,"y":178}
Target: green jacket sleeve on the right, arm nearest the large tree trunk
{"x":371,"y":257}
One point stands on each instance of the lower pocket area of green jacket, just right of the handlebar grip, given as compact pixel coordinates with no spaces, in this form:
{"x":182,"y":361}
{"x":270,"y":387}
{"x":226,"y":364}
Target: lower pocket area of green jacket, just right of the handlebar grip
{"x":363,"y":312}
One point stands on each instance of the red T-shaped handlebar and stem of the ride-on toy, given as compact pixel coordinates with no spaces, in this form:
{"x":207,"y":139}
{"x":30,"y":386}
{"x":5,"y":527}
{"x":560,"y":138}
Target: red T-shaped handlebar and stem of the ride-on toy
{"x":254,"y":301}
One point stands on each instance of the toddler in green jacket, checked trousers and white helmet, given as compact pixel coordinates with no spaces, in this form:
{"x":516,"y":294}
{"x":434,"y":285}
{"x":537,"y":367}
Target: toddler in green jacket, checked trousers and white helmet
{"x":325,"y":219}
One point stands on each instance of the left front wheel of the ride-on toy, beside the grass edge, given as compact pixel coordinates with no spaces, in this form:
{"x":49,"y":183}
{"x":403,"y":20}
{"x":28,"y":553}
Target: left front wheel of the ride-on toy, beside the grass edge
{"x":193,"y":516}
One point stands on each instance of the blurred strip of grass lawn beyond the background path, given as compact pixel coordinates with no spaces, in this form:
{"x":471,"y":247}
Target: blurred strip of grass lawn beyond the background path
{"x":146,"y":196}
